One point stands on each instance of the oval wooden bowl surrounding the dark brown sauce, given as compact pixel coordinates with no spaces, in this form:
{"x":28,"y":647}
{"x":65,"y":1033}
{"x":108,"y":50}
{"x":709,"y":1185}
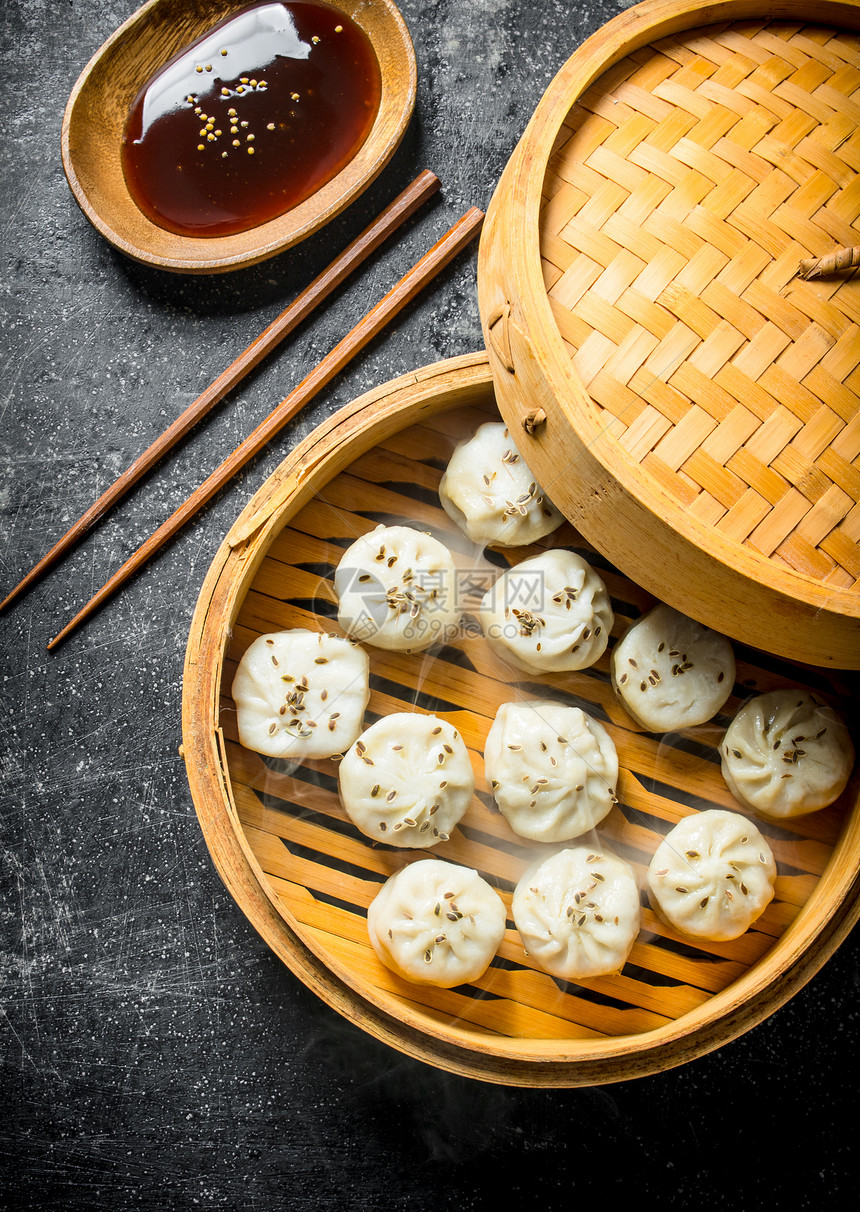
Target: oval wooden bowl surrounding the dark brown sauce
{"x":100,"y":104}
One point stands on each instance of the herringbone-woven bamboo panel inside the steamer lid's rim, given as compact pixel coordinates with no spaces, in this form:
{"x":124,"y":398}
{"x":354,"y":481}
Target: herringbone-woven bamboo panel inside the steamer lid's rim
{"x":684,"y":190}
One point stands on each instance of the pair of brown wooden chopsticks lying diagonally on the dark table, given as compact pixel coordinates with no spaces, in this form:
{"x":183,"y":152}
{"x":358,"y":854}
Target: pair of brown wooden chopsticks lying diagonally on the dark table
{"x":370,"y":327}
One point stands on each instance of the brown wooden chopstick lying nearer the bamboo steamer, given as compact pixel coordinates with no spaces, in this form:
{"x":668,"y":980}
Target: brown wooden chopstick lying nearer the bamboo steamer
{"x":370,"y":327}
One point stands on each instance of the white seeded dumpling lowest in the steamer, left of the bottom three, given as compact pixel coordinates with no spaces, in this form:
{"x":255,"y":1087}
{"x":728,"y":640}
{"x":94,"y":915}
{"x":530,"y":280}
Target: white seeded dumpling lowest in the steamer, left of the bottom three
{"x":437,"y":924}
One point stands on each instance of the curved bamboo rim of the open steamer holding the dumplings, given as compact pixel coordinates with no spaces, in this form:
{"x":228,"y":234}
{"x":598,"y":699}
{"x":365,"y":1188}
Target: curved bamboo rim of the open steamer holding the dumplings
{"x":825,"y":921}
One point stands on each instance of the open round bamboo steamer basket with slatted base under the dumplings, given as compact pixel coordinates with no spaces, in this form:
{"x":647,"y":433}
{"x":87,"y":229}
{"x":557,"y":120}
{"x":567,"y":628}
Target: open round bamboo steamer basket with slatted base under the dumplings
{"x":305,"y":877}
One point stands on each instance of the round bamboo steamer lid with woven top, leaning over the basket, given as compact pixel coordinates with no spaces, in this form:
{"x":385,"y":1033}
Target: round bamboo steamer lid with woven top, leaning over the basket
{"x":684,"y":396}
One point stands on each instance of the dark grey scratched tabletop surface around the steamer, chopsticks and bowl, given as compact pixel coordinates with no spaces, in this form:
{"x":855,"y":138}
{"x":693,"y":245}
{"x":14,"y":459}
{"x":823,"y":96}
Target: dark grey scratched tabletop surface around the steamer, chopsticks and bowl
{"x":156,"y":1054}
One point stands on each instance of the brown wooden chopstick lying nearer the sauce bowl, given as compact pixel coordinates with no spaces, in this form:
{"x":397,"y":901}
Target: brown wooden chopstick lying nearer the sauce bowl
{"x":356,"y":254}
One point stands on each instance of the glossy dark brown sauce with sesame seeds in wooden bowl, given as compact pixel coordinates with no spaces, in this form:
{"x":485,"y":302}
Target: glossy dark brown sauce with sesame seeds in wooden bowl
{"x":251,"y":119}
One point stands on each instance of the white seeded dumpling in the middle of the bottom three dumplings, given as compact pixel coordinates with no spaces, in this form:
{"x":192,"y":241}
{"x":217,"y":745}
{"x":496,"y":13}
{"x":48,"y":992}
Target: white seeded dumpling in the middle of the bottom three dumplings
{"x":578,"y":913}
